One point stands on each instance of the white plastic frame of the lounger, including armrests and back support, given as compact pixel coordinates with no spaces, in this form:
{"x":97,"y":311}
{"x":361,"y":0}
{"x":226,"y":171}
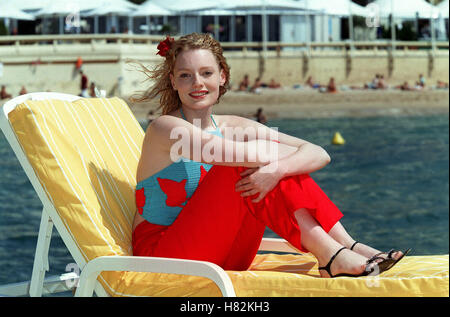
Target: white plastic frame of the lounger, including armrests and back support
{"x":87,"y":282}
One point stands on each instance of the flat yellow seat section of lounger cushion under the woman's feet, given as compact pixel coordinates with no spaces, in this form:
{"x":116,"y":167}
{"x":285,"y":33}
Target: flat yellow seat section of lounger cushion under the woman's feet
{"x":297,"y":276}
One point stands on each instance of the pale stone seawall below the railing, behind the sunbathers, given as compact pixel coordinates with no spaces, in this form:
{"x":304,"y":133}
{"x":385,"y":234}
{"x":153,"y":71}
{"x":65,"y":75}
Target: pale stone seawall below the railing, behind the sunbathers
{"x":51,"y":67}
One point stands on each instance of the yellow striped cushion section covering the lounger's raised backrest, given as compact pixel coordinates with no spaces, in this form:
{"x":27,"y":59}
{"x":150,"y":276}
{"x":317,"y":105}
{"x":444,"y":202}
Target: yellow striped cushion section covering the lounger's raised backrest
{"x":85,"y":155}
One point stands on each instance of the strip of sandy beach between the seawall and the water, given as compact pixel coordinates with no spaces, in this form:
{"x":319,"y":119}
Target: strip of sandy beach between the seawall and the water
{"x":298,"y":103}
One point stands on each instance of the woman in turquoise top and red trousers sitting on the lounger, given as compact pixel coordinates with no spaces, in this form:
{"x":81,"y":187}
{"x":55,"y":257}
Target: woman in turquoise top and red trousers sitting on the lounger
{"x":206,"y":191}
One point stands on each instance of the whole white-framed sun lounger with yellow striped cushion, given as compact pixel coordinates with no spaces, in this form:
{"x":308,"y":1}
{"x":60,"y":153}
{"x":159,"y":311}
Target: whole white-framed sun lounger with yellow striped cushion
{"x":81,"y":157}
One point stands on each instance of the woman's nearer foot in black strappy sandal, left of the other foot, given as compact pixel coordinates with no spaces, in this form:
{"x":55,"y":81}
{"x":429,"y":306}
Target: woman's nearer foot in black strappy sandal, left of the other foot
{"x":345,"y":261}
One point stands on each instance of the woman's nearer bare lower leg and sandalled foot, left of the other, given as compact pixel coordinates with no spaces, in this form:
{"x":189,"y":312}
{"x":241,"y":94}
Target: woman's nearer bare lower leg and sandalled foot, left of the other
{"x":323,"y":247}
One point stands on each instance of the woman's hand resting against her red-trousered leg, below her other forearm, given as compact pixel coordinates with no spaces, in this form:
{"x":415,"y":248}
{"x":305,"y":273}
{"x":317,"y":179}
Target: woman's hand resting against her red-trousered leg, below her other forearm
{"x":259,"y":180}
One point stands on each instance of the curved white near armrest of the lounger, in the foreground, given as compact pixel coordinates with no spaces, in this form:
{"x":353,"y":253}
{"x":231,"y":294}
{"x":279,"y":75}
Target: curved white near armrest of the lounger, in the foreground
{"x":93,"y":268}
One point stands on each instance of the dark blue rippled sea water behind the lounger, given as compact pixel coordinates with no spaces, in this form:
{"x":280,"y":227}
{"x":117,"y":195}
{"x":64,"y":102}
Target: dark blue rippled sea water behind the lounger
{"x":390,"y":180}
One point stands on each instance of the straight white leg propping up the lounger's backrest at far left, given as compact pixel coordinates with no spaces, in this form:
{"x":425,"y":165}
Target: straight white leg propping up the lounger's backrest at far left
{"x":40,"y":264}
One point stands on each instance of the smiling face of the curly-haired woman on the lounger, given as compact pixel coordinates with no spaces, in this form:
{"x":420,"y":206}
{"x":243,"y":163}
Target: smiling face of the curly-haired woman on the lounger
{"x":197,"y":77}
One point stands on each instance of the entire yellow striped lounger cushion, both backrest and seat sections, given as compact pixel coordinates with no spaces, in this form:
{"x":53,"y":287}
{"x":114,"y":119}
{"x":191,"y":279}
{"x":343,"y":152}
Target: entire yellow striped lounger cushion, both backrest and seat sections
{"x":85,"y":155}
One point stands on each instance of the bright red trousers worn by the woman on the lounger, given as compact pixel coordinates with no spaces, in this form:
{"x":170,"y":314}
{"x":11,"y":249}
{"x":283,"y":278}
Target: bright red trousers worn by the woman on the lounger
{"x":220,"y":226}
